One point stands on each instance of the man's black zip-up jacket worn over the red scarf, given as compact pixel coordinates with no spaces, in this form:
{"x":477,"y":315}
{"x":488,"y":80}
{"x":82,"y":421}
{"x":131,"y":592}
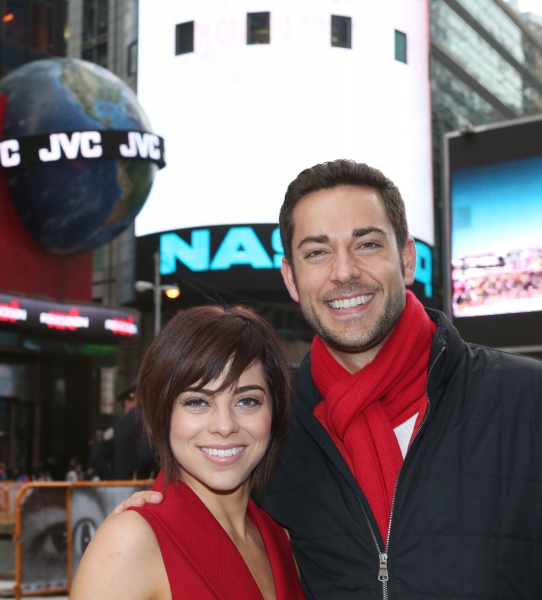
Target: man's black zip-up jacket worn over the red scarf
{"x":467,"y":516}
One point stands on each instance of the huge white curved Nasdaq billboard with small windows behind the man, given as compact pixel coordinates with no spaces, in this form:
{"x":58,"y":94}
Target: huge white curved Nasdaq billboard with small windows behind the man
{"x":249,"y":94}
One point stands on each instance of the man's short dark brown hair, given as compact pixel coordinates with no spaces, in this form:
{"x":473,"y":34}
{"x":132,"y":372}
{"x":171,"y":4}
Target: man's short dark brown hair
{"x":334,"y":174}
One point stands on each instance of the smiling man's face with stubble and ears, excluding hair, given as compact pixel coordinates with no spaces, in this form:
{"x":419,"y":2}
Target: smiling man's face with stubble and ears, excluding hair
{"x":347,"y":271}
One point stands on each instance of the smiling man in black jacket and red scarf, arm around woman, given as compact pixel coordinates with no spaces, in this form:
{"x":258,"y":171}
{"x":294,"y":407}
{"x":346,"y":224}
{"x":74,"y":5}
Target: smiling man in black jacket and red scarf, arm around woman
{"x":413,"y":468}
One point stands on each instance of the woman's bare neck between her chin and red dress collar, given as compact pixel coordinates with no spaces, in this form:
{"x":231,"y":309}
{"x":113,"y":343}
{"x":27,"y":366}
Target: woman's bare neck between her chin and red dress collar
{"x":228,"y":508}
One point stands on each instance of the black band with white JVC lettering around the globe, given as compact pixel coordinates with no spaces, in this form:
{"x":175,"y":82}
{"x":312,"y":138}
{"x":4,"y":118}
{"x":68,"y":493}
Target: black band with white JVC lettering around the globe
{"x":76,"y":145}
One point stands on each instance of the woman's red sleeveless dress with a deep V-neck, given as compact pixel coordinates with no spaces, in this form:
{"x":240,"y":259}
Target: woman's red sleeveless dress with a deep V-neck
{"x":202,"y":563}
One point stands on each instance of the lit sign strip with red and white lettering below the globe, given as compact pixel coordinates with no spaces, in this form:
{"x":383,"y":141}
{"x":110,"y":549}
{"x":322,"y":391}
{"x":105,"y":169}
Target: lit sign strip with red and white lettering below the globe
{"x":94,"y":320}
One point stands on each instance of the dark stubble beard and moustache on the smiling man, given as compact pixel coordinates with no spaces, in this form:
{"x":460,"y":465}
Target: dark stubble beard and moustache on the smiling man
{"x":356,"y":341}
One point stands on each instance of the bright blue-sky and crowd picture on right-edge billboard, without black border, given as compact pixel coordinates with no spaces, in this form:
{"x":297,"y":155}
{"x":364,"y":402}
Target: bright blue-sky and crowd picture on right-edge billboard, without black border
{"x":497,"y":238}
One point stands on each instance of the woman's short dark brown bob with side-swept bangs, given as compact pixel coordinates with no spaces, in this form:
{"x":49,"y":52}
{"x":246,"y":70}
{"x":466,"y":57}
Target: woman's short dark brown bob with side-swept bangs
{"x":191,"y":350}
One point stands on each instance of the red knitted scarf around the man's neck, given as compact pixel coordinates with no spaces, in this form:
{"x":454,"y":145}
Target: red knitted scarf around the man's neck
{"x":362,"y":410}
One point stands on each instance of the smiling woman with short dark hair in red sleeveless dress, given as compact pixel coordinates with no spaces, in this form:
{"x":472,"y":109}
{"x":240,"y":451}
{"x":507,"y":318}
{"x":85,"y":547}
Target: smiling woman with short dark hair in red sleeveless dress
{"x":214,"y":393}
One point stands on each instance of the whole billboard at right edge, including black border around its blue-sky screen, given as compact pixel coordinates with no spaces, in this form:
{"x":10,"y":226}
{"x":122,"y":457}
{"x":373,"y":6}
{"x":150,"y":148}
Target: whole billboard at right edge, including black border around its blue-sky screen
{"x":496,"y":226}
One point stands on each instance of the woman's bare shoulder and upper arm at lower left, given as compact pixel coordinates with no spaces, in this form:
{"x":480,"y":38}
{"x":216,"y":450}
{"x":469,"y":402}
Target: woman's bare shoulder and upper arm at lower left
{"x":123,"y":561}
